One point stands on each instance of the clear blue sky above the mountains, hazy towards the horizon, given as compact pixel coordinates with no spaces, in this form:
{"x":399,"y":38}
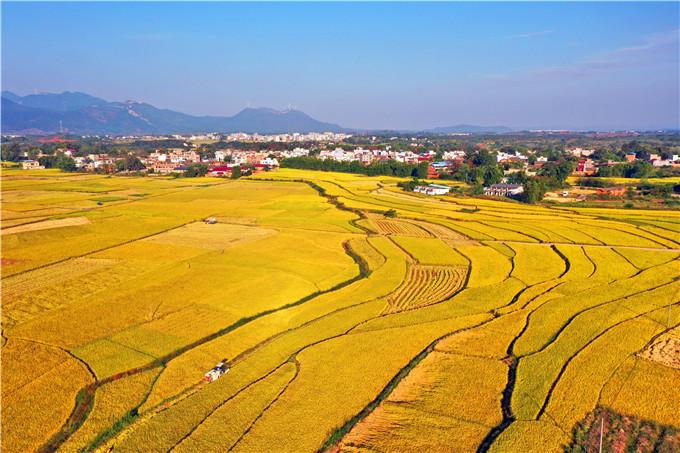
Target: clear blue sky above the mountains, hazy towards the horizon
{"x":369,"y":65}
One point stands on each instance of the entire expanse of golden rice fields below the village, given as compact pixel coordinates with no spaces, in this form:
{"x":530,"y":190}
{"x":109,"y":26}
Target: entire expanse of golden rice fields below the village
{"x":461,"y":324}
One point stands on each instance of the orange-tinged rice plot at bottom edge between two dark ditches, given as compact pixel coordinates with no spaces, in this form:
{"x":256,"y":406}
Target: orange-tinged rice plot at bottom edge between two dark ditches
{"x":435,"y":399}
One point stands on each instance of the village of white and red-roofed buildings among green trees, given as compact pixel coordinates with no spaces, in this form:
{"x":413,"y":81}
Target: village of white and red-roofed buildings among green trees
{"x":489,"y":167}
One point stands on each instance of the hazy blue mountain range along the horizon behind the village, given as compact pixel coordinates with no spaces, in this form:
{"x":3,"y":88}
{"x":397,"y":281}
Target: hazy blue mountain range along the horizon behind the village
{"x":80,"y":113}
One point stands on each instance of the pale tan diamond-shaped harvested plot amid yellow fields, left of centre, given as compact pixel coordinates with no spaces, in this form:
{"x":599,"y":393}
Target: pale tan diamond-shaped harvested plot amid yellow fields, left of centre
{"x":212,"y":237}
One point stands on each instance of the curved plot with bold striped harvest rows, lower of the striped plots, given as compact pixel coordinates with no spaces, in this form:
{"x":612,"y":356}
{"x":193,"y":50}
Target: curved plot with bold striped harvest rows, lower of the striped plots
{"x":426,"y":285}
